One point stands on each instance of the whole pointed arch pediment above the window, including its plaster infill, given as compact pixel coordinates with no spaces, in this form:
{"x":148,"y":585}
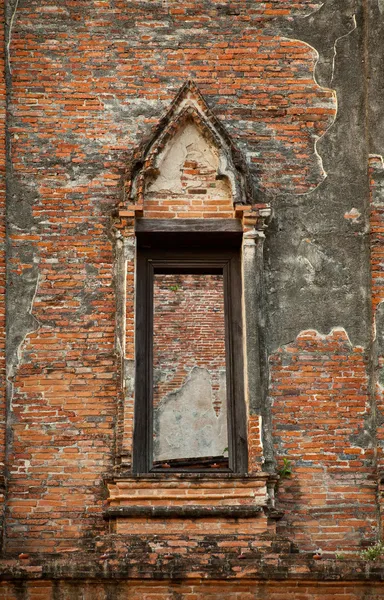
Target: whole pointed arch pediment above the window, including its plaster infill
{"x":191,"y":160}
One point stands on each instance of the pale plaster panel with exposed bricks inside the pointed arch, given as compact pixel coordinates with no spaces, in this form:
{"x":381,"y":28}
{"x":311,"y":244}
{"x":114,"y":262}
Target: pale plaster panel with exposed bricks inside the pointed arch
{"x":186,"y":148}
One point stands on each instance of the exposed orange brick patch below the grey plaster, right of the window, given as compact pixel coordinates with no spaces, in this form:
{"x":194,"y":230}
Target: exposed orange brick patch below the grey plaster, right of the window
{"x":320,"y":389}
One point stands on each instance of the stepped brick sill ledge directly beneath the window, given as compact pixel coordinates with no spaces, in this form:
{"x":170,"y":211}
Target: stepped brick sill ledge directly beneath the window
{"x":171,"y":503}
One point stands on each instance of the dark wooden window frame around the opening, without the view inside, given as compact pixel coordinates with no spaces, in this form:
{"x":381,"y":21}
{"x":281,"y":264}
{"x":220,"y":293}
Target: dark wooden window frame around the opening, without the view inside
{"x":228,"y":262}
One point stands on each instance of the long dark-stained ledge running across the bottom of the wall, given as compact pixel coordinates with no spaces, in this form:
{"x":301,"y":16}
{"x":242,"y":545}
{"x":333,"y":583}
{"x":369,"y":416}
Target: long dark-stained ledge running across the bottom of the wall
{"x":293,"y":568}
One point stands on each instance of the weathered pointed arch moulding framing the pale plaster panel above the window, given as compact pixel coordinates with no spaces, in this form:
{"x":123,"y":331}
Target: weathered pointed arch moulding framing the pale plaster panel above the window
{"x":188,"y":109}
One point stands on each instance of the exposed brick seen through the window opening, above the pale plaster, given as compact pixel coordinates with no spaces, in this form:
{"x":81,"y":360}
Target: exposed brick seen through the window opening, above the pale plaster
{"x":189,"y":331}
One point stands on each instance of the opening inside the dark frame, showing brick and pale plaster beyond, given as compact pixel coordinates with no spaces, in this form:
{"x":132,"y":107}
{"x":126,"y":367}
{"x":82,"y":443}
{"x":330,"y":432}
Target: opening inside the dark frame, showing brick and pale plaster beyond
{"x":189,"y":371}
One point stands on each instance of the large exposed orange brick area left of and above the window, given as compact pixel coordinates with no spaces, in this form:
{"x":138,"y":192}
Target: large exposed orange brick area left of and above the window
{"x":67,"y":180}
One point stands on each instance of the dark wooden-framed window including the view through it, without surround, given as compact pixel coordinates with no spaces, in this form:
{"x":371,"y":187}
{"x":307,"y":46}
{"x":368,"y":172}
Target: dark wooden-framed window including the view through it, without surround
{"x":189,"y":396}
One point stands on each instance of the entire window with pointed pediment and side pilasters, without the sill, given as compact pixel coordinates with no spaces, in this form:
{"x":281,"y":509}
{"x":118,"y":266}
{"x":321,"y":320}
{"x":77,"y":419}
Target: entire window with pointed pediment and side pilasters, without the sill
{"x":189,"y":269}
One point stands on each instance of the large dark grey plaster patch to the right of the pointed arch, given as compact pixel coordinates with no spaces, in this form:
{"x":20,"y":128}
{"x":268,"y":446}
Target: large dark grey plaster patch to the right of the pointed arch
{"x":317,"y":260}
